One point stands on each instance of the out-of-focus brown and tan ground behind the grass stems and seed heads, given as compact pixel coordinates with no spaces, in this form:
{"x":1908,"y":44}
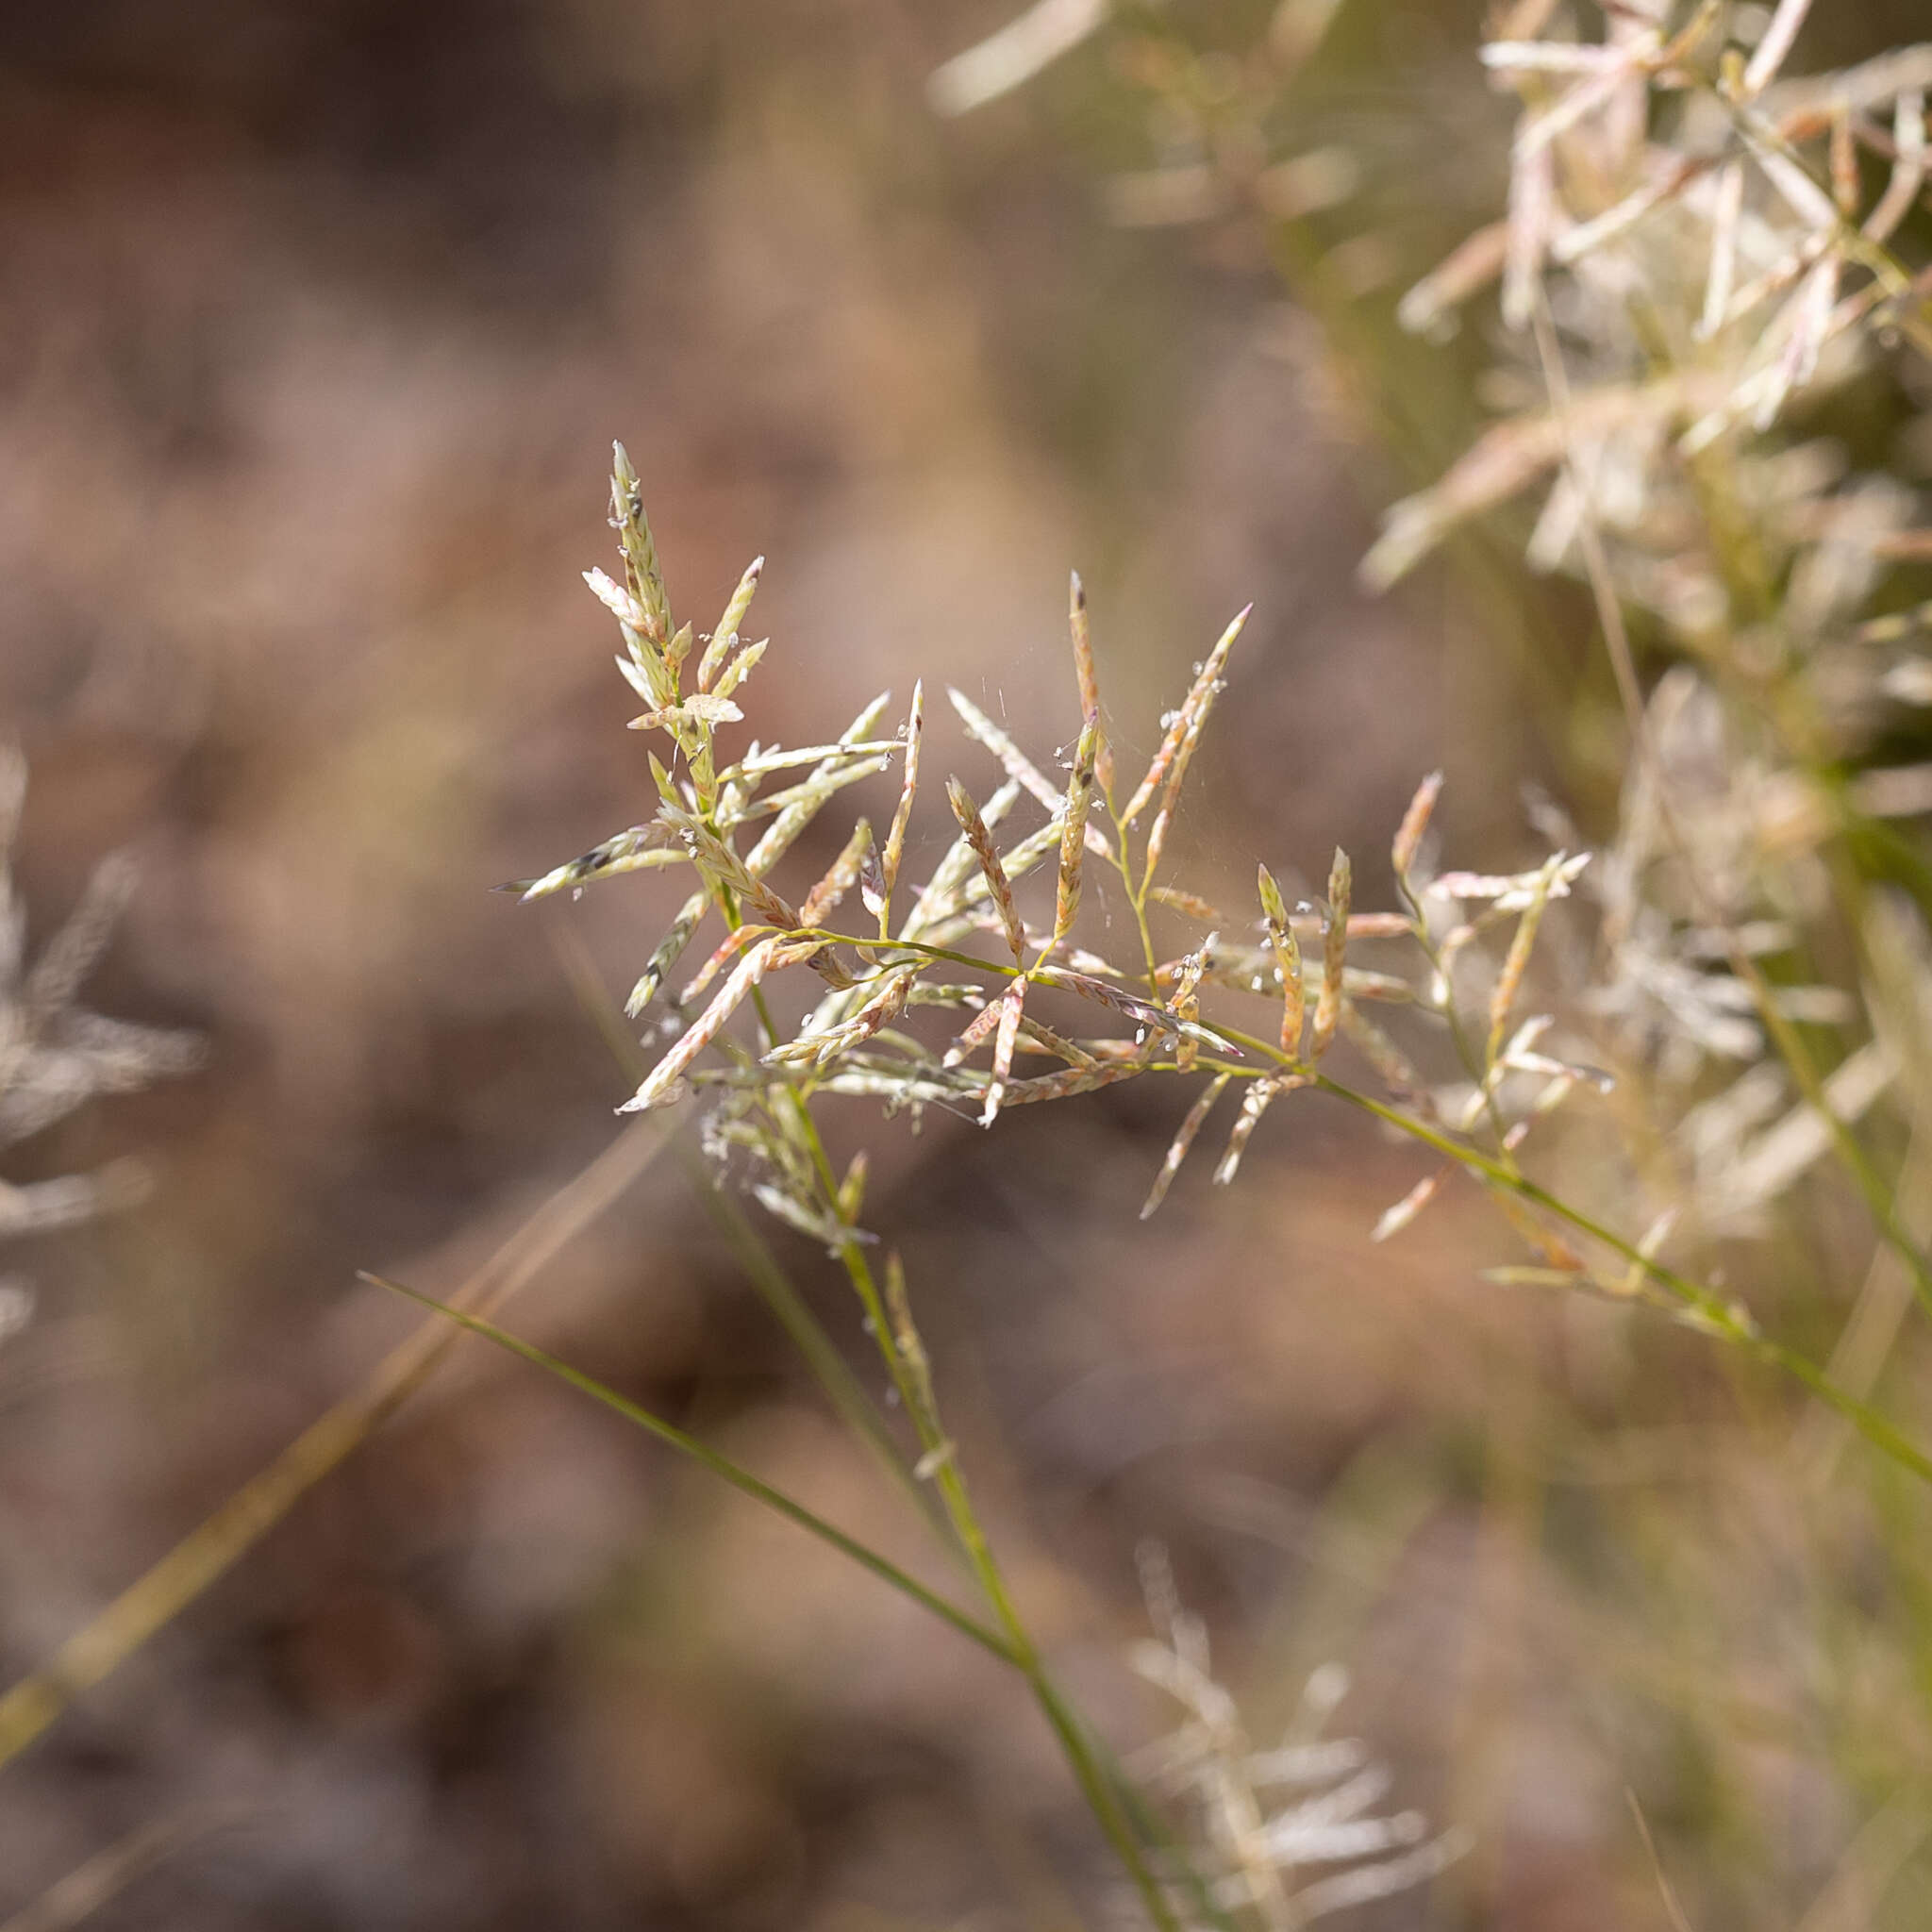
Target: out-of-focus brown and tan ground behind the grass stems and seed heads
{"x":318,"y":326}
